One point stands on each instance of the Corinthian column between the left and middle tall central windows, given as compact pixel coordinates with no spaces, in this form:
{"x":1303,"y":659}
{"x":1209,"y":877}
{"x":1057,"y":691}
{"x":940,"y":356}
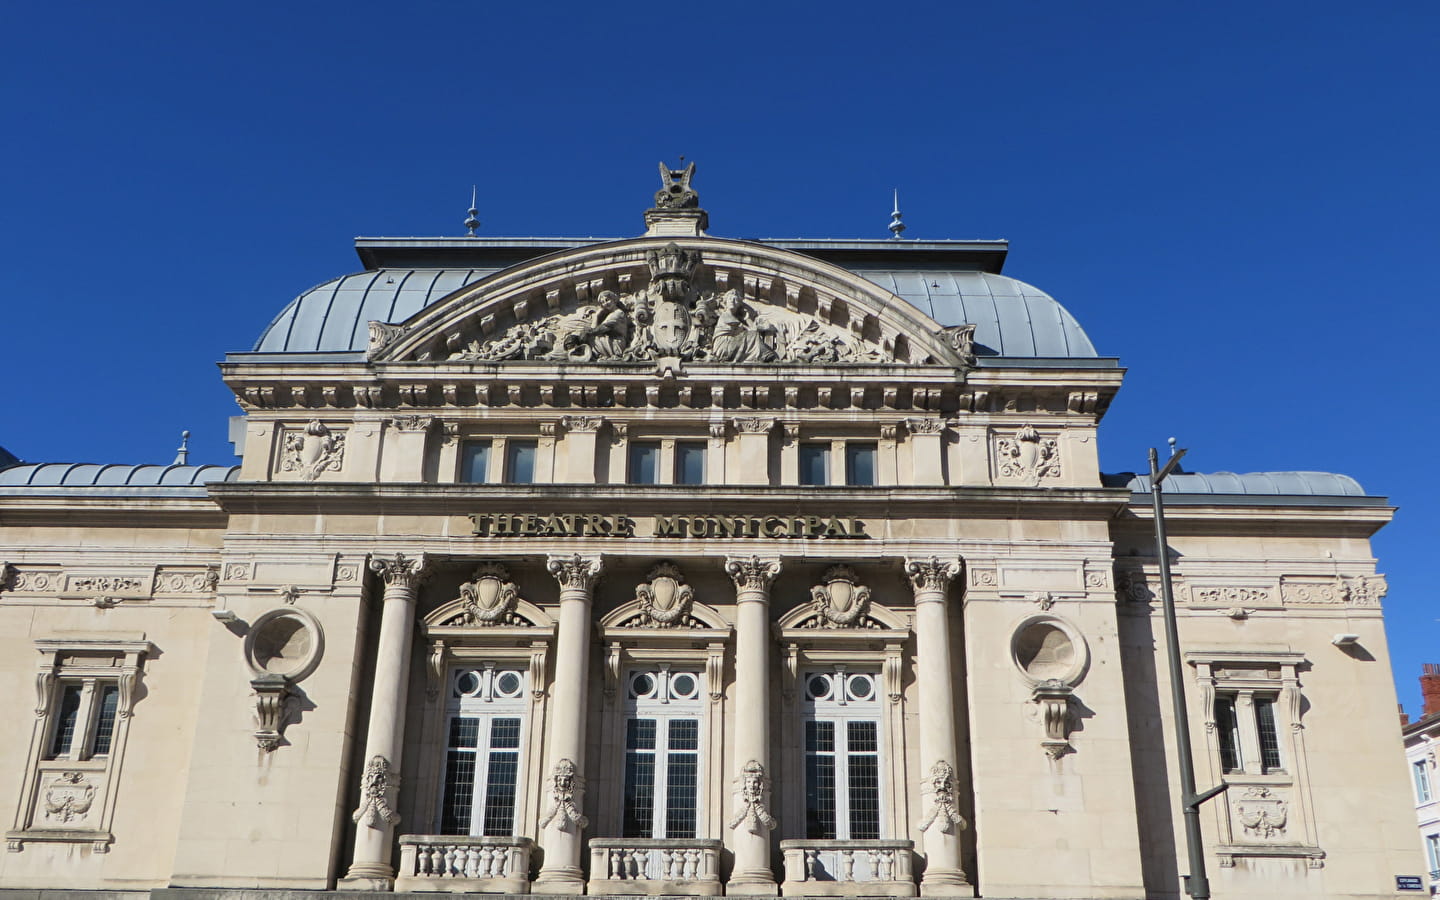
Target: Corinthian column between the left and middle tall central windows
{"x":561,"y":823}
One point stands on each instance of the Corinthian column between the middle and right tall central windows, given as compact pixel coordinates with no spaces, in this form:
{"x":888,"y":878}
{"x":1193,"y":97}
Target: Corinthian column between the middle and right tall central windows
{"x":751,"y":822}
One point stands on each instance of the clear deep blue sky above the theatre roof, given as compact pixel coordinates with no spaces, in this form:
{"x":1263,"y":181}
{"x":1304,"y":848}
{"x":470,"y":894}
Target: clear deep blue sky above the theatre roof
{"x":1238,"y":199}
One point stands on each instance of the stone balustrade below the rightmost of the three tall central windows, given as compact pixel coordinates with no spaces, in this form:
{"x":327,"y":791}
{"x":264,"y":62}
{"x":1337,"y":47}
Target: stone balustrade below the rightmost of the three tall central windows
{"x":849,"y":869}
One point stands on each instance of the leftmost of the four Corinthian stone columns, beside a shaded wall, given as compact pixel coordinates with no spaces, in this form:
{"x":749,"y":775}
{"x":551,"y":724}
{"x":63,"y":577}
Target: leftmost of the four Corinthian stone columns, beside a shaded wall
{"x":377,"y":819}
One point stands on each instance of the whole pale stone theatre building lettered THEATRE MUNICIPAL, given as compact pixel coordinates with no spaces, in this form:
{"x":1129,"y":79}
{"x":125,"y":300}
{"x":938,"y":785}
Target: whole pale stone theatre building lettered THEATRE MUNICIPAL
{"x":692,"y":567}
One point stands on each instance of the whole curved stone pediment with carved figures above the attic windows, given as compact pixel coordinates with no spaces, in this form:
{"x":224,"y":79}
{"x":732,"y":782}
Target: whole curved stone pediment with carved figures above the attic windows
{"x":703,"y":300}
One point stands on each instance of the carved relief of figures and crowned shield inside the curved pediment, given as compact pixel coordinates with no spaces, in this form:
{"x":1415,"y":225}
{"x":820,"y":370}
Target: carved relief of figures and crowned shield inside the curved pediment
{"x":675,"y":318}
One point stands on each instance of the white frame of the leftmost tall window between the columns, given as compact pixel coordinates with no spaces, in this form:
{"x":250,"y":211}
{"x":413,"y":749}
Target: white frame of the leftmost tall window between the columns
{"x":486,"y":703}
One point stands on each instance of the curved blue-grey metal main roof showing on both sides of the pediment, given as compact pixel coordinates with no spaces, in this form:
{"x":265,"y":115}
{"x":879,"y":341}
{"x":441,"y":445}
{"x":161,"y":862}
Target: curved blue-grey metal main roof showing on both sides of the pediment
{"x":1012,"y":319}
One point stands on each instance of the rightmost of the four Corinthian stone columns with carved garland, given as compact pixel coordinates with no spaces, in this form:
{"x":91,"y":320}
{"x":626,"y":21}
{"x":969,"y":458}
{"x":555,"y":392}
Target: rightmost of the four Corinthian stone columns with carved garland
{"x":942,"y":823}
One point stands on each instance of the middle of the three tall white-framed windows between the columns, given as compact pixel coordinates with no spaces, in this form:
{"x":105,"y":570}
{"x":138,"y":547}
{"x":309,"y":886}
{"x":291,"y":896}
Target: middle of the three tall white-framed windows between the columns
{"x":662,"y":755}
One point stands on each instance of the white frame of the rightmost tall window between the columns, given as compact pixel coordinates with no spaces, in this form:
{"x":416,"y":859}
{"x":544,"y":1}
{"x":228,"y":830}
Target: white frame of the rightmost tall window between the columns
{"x":842,"y":709}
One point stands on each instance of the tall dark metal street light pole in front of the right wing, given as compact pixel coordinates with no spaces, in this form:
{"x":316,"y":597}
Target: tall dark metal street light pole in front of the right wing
{"x":1196,"y":885}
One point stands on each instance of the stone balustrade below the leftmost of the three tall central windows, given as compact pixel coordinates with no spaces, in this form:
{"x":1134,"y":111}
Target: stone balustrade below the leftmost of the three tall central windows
{"x":463,"y":865}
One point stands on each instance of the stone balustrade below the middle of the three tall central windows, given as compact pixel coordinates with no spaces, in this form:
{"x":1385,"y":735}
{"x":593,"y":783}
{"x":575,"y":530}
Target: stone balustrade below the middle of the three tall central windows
{"x":646,"y":866}
